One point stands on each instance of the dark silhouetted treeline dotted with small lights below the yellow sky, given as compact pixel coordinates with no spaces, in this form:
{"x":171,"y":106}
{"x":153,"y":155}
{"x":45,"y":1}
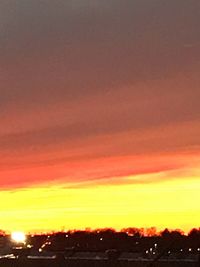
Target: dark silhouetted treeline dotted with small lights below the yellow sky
{"x":129,"y":240}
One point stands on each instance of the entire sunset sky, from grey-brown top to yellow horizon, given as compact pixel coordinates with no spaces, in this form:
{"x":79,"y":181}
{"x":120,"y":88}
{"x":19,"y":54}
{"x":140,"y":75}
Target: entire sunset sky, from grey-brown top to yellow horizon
{"x":99,"y":114}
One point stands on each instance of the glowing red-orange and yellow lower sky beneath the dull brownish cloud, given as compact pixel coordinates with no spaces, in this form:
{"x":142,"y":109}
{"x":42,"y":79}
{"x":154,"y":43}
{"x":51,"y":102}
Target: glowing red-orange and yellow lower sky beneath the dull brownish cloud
{"x":163,"y":191}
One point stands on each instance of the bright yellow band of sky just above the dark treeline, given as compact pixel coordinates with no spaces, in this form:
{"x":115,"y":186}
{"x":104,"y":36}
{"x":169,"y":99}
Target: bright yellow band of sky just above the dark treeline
{"x":173,"y":204}
